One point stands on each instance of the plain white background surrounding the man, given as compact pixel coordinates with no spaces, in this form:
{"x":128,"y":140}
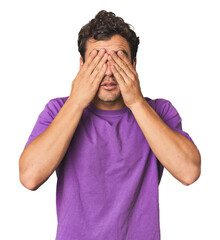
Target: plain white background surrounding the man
{"x":178,"y":59}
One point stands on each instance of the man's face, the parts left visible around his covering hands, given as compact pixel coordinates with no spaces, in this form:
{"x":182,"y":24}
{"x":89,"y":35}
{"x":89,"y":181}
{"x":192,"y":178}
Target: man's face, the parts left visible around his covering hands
{"x":115,"y":43}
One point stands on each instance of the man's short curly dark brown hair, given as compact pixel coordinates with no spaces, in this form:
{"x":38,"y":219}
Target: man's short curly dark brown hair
{"x":103,"y":27}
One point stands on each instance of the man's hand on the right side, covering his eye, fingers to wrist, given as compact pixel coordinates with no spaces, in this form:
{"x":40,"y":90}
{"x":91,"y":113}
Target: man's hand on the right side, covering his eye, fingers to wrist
{"x":127,"y":78}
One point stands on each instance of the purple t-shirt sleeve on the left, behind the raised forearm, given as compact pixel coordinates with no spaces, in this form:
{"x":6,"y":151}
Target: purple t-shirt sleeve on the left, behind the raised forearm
{"x":45,"y":118}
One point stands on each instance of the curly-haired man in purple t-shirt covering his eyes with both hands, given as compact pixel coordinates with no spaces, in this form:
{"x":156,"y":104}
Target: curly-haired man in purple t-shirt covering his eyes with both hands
{"x":108,"y":143}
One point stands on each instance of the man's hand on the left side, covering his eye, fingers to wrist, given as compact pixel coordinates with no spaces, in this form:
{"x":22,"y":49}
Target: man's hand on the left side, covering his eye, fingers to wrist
{"x":88,"y":79}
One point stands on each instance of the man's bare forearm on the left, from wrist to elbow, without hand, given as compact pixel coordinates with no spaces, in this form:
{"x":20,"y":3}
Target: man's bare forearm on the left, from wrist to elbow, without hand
{"x":42,"y":156}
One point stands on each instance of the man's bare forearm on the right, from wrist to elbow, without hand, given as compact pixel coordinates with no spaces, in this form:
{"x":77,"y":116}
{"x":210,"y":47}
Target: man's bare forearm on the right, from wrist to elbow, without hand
{"x":175,"y":152}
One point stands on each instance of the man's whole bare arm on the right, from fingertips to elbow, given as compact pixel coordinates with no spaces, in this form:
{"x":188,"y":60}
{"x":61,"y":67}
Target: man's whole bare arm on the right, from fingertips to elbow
{"x":176,"y":153}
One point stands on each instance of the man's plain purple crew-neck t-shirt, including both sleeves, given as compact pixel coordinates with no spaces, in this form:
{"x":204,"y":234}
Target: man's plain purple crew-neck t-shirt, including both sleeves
{"x":107,"y":182}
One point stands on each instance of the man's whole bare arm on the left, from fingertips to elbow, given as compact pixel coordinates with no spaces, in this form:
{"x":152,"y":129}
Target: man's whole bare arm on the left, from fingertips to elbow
{"x":43,"y":155}
